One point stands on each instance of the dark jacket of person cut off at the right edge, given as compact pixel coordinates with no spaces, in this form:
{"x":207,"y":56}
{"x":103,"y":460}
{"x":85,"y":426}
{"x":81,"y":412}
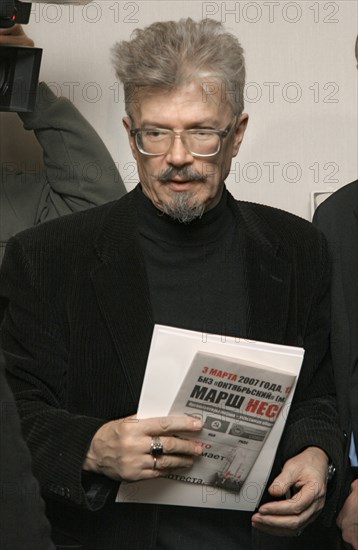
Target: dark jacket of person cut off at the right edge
{"x":337,"y":217}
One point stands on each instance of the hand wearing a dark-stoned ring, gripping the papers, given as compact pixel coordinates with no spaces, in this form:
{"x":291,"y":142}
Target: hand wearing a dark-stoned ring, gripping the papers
{"x":121,"y":449}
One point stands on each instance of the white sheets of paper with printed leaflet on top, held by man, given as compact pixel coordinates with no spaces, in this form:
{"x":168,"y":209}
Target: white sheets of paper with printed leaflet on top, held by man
{"x":236,"y":478}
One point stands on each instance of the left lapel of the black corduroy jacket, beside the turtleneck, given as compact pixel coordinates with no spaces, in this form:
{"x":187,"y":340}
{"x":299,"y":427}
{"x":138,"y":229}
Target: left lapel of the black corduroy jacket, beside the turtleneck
{"x":122,"y":292}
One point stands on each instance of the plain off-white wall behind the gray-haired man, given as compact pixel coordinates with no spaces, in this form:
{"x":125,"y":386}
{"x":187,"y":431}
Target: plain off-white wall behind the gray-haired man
{"x":301,"y":92}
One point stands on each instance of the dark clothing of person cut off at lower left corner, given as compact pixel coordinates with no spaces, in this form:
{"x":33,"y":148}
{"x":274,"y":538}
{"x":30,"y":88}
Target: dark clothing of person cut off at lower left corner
{"x":22,"y":512}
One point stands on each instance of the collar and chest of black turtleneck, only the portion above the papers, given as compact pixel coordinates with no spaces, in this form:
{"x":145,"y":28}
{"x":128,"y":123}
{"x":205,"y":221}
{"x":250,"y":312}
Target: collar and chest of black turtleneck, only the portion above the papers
{"x":194,"y":270}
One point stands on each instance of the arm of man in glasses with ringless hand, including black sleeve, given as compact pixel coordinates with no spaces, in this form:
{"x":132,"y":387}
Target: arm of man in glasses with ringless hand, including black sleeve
{"x":312,"y":437}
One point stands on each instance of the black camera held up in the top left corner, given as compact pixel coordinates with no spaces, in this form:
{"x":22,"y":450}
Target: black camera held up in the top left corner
{"x":19,"y":65}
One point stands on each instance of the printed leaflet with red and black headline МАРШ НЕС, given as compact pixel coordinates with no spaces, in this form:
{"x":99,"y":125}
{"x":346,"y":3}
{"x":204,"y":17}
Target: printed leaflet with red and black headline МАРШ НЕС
{"x":238,"y":402}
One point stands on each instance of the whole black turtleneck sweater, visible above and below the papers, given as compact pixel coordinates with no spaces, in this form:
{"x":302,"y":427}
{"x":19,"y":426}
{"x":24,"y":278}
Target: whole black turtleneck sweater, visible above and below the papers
{"x":196,"y":282}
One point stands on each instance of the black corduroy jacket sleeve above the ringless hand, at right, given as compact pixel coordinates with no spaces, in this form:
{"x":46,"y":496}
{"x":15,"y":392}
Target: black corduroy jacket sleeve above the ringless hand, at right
{"x":313,"y":418}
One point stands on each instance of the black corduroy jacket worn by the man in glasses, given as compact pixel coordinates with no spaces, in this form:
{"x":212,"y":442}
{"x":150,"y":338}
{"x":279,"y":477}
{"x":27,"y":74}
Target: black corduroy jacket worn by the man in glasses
{"x":77,"y":334}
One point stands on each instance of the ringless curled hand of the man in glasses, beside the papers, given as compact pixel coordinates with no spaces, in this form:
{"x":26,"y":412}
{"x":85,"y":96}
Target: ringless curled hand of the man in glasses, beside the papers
{"x":305,"y":477}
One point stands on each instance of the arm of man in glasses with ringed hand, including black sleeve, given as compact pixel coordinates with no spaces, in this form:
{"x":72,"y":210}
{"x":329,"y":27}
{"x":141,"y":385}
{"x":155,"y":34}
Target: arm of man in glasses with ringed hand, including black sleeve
{"x":66,"y":445}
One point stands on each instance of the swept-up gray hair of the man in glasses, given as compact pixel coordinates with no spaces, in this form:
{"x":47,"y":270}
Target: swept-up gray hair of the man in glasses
{"x":168,"y":54}
